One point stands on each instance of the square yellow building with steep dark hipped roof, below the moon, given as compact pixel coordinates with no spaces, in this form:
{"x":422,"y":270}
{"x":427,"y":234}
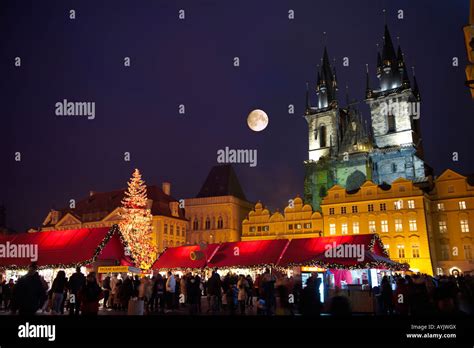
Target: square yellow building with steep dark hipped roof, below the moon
{"x":216,"y":213}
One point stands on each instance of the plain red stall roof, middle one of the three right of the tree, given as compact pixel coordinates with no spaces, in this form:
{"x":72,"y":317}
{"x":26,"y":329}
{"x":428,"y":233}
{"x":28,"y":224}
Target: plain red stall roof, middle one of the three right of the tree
{"x":248,"y":254}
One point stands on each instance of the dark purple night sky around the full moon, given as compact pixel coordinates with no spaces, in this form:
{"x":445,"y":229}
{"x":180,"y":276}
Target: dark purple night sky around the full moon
{"x":190,"y":62}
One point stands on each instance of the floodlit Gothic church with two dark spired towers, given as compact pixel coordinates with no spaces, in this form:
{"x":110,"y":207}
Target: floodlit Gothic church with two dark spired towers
{"x":344,"y":149}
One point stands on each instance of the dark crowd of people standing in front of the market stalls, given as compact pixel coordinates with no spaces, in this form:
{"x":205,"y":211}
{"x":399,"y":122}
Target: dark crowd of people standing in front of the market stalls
{"x":271,"y":293}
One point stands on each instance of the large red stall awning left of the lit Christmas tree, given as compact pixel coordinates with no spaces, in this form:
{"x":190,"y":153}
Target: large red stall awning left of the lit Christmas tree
{"x":64,"y":249}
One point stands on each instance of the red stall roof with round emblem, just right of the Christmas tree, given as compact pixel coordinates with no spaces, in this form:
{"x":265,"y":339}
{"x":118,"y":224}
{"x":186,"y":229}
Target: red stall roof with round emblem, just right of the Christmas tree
{"x":193,"y":256}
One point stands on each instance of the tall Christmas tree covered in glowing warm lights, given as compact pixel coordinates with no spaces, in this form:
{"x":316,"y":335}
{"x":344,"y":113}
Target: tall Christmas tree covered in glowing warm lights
{"x":136,"y":222}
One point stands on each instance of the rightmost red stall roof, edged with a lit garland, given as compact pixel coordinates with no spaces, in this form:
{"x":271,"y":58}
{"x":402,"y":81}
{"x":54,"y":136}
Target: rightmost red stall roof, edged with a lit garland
{"x":355,"y":251}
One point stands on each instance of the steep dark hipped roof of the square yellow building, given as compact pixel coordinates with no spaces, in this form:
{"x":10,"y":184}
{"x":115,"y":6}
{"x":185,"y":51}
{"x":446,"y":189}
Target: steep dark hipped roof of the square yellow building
{"x":222,"y":181}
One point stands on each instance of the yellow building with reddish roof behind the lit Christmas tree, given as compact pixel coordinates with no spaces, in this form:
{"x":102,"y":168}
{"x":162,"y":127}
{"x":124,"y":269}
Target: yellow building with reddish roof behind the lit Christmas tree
{"x":102,"y":209}
